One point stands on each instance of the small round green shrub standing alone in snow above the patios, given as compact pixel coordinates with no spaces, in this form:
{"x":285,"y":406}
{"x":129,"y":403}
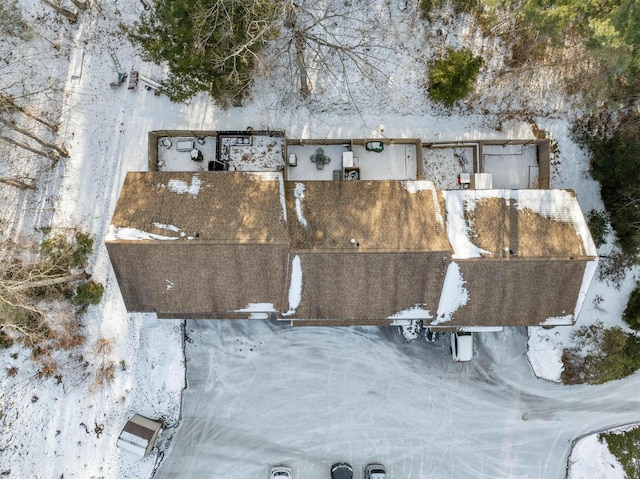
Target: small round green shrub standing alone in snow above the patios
{"x":452,"y":78}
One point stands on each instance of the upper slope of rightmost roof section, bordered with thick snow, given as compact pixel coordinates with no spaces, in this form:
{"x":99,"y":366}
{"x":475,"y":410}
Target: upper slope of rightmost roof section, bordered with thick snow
{"x":517,"y":223}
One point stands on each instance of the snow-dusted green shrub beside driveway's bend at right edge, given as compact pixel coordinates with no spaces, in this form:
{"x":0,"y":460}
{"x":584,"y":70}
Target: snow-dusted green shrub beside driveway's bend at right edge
{"x":600,"y":355}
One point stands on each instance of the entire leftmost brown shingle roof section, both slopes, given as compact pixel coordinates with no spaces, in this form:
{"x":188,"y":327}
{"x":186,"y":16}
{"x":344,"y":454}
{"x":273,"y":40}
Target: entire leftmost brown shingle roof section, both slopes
{"x":231,"y":250}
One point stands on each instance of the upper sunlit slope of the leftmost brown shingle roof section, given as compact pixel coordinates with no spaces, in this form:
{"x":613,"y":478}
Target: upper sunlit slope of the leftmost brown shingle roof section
{"x":226,"y":207}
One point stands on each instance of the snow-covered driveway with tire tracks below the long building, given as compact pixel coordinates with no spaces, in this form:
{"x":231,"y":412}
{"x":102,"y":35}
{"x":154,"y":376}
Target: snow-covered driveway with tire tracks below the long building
{"x":261,"y":394}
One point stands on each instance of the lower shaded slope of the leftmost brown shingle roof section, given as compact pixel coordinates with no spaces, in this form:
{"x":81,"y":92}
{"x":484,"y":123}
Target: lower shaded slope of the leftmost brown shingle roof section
{"x":198,"y":279}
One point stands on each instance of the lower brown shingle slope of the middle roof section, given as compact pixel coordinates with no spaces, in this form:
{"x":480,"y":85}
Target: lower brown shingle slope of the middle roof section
{"x":355,"y":287}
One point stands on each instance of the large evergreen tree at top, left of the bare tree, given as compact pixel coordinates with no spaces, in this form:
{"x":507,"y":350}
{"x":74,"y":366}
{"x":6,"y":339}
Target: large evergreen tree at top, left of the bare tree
{"x":209,"y":46}
